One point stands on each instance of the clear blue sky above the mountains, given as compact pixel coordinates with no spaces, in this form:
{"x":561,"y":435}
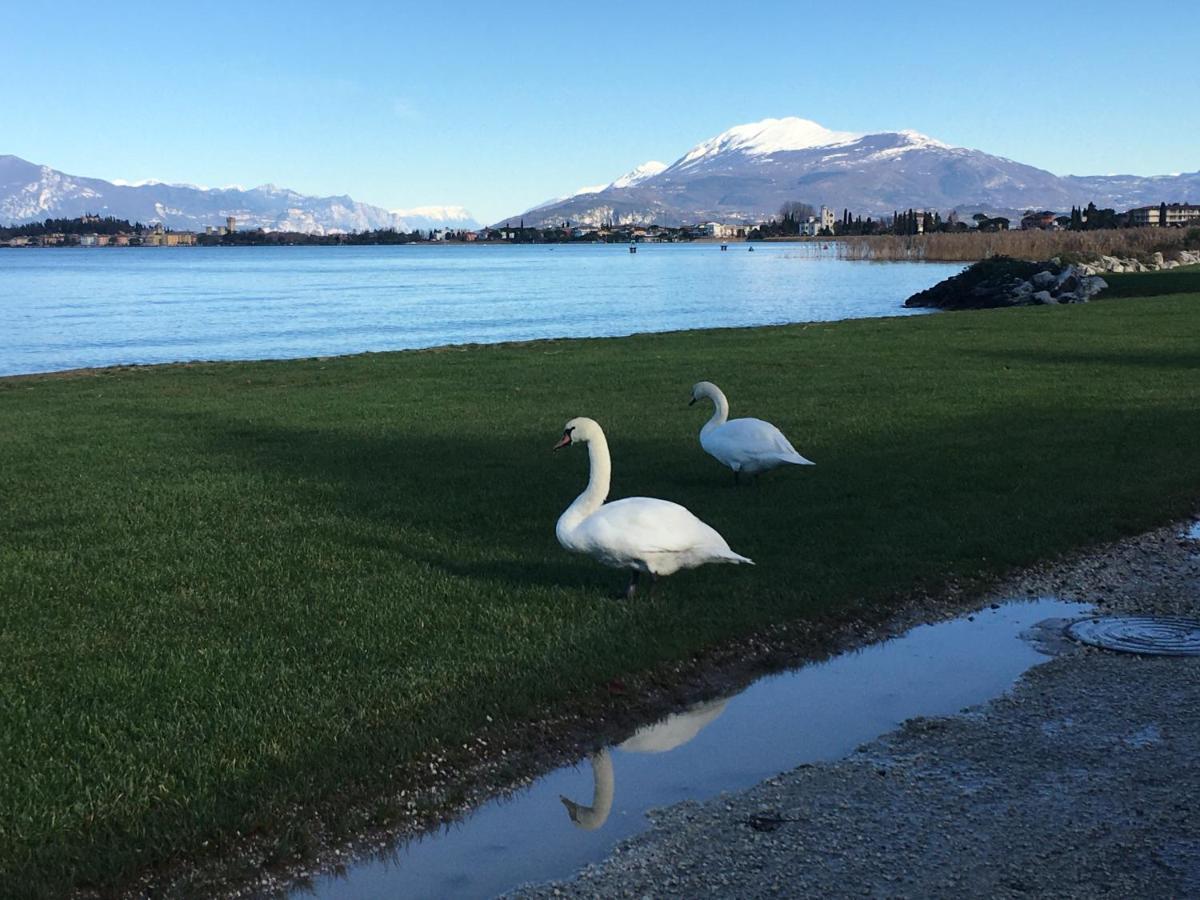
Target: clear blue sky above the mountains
{"x":501,"y":106}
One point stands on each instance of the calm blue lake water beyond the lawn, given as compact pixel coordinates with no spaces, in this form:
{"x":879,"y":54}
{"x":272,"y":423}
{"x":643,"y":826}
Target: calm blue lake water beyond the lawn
{"x":68,"y":309}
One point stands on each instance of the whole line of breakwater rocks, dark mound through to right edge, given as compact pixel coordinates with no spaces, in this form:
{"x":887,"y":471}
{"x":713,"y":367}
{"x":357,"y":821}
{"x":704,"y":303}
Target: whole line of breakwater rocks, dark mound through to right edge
{"x":1003,"y":281}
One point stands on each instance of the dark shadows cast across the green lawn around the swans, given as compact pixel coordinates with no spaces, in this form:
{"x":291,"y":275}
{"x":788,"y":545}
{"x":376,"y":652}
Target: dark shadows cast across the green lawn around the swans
{"x":929,"y":499}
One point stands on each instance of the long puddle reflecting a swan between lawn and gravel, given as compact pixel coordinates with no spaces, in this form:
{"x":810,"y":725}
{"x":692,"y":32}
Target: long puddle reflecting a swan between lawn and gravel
{"x":575,"y":815}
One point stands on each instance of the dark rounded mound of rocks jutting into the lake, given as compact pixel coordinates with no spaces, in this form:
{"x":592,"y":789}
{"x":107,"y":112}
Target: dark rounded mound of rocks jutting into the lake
{"x":1001,"y":281}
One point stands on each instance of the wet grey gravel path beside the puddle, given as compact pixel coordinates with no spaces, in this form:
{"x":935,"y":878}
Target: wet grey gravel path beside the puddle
{"x":1083,"y":782}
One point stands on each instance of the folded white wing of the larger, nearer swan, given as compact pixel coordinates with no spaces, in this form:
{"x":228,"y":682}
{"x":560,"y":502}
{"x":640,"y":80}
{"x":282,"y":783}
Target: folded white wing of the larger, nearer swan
{"x":643,"y":525}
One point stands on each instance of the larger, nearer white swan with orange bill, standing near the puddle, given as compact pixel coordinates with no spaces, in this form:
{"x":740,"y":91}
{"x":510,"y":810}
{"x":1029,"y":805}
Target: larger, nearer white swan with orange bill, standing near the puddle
{"x":638,"y":533}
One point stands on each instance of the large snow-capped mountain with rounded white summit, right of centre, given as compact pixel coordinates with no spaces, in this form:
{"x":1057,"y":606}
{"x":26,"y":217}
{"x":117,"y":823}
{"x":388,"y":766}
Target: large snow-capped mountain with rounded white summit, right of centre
{"x":751,"y":171}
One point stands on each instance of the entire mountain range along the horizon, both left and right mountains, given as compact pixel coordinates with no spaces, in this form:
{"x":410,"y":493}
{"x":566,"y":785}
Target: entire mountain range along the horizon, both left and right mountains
{"x":745,"y":175}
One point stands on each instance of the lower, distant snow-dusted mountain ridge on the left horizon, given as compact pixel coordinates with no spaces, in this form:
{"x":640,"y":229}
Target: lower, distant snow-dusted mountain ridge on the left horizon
{"x":31,"y":193}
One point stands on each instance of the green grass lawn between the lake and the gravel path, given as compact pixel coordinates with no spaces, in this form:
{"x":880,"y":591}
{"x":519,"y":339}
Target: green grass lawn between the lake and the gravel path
{"x":230,"y":589}
